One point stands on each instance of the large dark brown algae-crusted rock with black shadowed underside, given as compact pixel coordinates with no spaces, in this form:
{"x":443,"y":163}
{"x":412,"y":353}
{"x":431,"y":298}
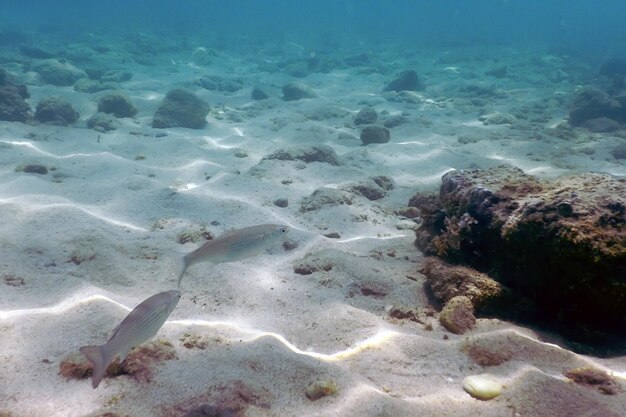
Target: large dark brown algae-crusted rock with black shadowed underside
{"x":560,"y":243}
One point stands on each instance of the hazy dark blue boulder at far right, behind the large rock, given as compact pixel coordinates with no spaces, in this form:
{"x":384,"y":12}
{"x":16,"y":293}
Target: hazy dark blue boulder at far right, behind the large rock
{"x":592,"y":103}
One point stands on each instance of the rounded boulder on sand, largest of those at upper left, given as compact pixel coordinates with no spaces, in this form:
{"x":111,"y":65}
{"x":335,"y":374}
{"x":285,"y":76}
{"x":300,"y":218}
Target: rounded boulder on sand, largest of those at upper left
{"x":181,"y":108}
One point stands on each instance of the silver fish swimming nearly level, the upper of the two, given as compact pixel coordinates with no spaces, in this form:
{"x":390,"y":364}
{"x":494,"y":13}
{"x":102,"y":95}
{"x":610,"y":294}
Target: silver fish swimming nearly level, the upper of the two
{"x":233,"y":246}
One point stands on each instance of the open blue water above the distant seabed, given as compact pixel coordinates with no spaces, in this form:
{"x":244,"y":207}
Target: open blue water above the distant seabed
{"x":584,"y":26}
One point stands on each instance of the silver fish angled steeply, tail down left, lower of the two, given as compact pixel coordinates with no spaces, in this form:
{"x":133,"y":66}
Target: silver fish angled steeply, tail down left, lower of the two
{"x":141,"y":324}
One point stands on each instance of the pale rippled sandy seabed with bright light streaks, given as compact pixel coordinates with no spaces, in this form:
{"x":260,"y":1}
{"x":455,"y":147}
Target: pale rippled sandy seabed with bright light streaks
{"x":270,"y":331}
